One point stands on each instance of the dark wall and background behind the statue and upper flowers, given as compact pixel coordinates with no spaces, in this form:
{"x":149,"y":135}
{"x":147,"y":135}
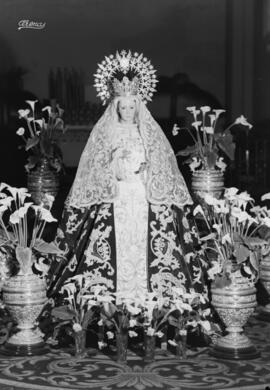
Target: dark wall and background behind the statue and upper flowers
{"x":213,"y":52}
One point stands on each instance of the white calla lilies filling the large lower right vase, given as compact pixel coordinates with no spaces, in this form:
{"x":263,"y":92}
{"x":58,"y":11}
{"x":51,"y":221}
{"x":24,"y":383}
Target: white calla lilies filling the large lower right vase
{"x":232,"y":243}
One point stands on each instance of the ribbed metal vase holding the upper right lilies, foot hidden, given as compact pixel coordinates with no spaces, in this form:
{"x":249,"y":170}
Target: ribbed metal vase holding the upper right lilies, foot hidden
{"x":207,"y":180}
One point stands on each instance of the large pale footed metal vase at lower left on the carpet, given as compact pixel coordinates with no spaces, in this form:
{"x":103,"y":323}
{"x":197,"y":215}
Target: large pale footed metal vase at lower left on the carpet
{"x":24,"y":296}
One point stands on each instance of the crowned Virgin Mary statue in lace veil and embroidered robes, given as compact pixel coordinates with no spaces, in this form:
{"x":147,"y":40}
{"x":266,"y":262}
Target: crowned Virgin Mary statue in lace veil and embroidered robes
{"x":127,"y":220}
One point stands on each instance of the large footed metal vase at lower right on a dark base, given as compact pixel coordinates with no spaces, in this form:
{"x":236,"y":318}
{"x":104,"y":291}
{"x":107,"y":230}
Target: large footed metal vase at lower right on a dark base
{"x":234,"y":304}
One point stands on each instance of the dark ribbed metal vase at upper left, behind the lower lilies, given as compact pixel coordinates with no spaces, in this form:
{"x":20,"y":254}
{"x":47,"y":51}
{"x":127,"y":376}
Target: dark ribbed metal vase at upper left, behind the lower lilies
{"x":43,"y":180}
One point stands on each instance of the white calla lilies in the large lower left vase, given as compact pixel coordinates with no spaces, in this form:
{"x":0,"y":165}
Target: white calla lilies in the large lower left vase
{"x":21,"y":226}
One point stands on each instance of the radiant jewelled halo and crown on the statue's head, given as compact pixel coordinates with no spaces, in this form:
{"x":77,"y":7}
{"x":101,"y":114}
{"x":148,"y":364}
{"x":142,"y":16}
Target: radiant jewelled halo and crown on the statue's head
{"x":143,"y":83}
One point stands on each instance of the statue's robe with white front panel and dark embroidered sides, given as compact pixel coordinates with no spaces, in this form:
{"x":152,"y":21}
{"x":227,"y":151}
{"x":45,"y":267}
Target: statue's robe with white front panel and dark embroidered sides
{"x":129,"y":244}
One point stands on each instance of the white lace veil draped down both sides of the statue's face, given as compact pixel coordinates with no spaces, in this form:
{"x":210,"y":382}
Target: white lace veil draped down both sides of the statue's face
{"x":95,"y":181}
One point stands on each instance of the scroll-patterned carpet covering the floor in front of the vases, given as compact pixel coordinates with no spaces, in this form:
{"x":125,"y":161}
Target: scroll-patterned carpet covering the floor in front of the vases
{"x":60,"y":370}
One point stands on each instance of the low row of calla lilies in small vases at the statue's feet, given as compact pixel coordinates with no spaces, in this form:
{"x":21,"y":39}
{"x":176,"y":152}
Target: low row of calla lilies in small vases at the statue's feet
{"x":120,"y":317}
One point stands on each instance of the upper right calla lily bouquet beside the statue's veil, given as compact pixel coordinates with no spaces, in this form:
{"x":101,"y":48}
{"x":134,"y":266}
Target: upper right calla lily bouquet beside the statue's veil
{"x":208,"y":139}
